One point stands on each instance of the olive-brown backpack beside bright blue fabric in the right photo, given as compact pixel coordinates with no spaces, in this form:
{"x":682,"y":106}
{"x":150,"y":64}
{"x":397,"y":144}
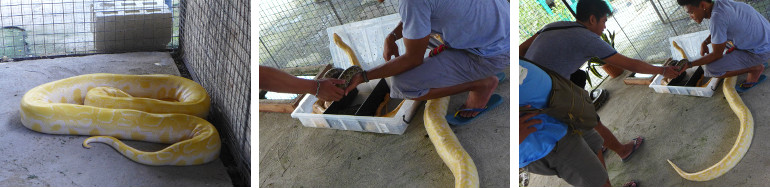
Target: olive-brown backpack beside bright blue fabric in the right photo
{"x":568,"y":103}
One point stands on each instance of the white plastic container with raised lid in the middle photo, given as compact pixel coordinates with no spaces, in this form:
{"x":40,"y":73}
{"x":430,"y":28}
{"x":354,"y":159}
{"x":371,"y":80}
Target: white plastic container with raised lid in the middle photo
{"x":367,"y":42}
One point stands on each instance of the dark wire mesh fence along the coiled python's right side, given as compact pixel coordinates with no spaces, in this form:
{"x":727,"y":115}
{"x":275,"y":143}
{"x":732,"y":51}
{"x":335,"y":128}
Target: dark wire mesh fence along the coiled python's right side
{"x":215,"y":46}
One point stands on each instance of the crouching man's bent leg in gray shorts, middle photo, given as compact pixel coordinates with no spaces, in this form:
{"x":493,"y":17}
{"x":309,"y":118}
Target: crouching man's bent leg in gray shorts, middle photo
{"x":451,"y":72}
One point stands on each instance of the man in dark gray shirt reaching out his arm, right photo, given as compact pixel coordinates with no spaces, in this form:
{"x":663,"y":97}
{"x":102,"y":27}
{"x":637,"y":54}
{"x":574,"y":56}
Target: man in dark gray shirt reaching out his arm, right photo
{"x":565,"y":46}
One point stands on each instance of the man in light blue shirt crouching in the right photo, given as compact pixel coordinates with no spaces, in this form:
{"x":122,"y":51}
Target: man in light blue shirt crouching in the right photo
{"x":745,"y":27}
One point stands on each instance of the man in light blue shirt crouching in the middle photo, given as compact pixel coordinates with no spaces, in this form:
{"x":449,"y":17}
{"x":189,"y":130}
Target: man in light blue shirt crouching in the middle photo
{"x":478,"y":36}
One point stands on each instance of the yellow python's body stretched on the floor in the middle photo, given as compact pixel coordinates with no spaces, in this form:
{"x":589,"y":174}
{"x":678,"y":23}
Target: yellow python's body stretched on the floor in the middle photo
{"x":447,"y":145}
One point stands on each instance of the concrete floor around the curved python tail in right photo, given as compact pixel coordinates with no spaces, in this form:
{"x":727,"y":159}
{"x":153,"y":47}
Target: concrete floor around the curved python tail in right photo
{"x":693,"y":132}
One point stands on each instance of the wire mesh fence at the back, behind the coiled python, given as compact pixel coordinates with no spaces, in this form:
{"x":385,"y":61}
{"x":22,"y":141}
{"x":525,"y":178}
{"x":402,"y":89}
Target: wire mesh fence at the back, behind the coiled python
{"x":37,"y":28}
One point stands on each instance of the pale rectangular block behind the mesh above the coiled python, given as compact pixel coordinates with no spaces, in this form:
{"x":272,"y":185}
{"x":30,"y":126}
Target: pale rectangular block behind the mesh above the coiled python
{"x":131,"y":25}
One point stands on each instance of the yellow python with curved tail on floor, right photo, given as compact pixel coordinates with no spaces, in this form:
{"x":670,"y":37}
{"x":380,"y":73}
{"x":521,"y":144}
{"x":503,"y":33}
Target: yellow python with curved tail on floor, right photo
{"x":742,"y":143}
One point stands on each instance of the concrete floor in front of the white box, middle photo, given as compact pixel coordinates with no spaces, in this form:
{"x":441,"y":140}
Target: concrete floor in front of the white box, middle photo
{"x":292,"y":155}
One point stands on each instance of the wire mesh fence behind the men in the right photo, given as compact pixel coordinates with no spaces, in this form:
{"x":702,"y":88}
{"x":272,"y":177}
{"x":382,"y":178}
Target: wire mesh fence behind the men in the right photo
{"x":643,"y":27}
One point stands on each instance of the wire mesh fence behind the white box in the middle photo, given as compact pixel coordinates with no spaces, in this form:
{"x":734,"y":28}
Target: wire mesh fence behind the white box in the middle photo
{"x":293,"y":33}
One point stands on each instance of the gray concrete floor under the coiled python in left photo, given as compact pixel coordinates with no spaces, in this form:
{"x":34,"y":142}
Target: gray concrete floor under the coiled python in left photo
{"x":30,"y":158}
